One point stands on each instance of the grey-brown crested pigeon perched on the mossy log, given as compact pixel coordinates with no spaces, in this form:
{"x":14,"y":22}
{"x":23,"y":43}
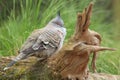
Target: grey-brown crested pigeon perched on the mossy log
{"x":44,"y":42}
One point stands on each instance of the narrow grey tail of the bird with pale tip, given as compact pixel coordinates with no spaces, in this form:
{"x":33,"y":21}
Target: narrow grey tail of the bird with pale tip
{"x":16,"y":59}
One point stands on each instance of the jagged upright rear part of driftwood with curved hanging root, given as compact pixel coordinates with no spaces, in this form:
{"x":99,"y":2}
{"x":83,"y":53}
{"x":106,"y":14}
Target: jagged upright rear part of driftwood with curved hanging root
{"x":84,"y":34}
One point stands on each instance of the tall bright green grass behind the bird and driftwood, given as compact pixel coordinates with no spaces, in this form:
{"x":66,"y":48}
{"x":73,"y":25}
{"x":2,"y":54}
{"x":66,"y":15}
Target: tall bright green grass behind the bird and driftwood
{"x":36,"y":14}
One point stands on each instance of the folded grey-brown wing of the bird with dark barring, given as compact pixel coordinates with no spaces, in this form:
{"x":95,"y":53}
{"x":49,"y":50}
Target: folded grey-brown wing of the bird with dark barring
{"x":39,"y":39}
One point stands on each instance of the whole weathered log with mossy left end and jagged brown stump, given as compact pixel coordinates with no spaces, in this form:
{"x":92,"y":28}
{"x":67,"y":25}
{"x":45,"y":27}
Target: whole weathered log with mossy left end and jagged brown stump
{"x":70,"y":63}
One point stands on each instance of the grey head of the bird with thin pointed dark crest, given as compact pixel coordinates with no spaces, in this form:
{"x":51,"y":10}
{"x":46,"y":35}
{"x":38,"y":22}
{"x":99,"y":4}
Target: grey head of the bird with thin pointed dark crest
{"x":57,"y":20}
